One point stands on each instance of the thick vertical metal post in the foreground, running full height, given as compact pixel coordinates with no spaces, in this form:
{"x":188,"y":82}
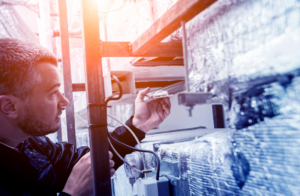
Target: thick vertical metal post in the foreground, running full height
{"x":96,"y":99}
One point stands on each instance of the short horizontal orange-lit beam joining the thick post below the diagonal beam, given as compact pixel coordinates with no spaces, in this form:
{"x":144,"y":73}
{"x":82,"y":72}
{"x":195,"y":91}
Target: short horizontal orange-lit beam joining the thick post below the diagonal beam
{"x":123,"y":49}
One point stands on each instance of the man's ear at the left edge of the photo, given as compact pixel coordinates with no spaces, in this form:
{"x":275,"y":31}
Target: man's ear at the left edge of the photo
{"x":8,"y":107}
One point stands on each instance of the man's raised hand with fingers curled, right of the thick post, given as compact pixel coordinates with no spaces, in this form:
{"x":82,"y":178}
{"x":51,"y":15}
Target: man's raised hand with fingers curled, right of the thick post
{"x":149,"y":115}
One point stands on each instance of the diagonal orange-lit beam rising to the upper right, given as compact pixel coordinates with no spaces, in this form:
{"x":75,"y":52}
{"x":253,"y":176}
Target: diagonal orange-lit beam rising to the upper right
{"x":168,"y":23}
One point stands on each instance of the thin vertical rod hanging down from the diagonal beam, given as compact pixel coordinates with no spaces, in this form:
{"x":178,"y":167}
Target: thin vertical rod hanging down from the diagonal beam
{"x":184,"y":48}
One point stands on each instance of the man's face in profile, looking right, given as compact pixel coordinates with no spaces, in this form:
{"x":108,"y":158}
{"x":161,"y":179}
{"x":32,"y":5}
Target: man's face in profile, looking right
{"x":41,"y":111}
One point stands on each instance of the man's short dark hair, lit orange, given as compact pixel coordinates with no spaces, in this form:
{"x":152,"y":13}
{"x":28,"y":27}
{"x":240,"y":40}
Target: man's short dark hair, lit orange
{"x":17,"y":65}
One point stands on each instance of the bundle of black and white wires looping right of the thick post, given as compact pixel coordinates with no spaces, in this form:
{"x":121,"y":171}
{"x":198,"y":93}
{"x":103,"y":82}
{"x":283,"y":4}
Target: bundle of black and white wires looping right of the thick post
{"x":110,"y":138}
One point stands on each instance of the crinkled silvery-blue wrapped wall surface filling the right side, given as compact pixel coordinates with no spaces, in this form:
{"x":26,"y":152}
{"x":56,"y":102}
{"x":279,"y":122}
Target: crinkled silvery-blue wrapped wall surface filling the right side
{"x":247,"y":54}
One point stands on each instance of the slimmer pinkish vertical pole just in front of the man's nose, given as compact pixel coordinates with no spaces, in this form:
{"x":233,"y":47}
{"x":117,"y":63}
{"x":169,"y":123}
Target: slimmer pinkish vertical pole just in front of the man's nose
{"x":65,"y":50}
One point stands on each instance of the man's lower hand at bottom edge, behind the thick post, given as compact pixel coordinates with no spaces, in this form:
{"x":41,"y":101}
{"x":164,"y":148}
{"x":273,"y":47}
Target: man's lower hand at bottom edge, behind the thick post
{"x":79,"y":182}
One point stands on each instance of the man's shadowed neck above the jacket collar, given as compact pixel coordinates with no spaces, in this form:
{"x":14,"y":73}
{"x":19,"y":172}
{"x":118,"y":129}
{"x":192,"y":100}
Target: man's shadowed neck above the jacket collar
{"x":11,"y":136}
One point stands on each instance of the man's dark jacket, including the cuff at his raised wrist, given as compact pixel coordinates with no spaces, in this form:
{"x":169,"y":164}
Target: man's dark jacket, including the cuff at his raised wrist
{"x":42,"y":168}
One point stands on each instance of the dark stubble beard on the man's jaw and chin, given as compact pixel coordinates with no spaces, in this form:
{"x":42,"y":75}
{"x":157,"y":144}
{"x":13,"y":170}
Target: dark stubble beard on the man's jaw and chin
{"x":32,"y":126}
